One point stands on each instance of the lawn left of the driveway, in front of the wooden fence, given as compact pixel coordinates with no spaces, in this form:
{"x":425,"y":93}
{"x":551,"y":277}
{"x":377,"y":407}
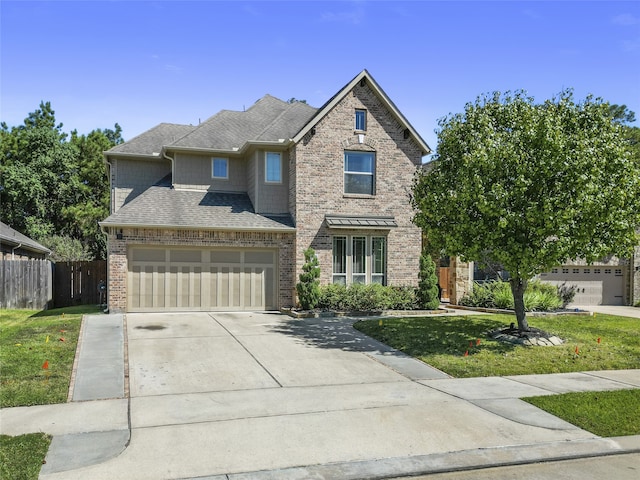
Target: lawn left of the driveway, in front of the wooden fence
{"x":24,"y":349}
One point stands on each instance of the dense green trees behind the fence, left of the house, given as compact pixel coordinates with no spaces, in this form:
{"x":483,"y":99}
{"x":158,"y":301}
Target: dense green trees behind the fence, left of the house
{"x":54,"y":184}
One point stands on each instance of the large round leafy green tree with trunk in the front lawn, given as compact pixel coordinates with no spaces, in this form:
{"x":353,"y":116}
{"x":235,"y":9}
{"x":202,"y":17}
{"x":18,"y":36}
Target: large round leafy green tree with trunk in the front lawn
{"x":530,"y":186}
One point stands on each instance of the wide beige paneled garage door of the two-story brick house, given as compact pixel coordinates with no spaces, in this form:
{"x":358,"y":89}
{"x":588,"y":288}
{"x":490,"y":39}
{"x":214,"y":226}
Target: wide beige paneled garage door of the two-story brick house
{"x":189,"y":279}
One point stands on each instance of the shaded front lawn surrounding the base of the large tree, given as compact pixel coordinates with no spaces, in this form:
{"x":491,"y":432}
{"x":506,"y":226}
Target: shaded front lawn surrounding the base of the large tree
{"x":442,"y":342}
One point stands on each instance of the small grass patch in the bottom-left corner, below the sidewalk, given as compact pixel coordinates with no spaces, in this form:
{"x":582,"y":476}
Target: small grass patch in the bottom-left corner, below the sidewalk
{"x":21,"y":457}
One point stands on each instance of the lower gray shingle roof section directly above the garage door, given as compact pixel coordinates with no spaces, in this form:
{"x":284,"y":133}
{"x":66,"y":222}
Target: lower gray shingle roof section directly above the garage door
{"x":162,"y":206}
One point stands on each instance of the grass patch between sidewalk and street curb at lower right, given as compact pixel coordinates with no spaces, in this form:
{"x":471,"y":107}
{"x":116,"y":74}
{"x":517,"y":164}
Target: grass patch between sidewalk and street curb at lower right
{"x":607,"y":414}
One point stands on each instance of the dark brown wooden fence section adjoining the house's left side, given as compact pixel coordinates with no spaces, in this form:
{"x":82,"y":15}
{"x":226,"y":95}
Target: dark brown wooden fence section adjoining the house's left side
{"x":78,"y":283}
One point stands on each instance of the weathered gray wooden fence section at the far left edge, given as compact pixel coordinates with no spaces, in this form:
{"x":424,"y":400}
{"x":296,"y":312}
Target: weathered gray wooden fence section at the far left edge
{"x":26,"y":284}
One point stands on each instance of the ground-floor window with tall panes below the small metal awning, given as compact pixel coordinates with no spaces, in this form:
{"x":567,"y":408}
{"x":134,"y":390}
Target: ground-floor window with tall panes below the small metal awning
{"x":359,"y":259}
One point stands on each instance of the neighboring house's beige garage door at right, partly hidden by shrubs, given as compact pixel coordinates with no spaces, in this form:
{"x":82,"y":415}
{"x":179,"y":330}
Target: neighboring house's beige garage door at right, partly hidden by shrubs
{"x":594,"y":285}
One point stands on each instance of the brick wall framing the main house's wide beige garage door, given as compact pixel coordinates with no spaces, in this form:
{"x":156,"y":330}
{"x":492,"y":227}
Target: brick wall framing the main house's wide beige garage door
{"x":118,"y":266}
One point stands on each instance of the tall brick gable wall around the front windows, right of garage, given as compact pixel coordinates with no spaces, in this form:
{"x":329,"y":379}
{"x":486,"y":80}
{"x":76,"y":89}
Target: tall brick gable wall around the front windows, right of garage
{"x":317,"y":184}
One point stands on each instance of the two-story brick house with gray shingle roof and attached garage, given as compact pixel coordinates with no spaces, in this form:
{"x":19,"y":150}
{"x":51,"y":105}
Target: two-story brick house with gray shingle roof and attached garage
{"x":217,"y":216}
